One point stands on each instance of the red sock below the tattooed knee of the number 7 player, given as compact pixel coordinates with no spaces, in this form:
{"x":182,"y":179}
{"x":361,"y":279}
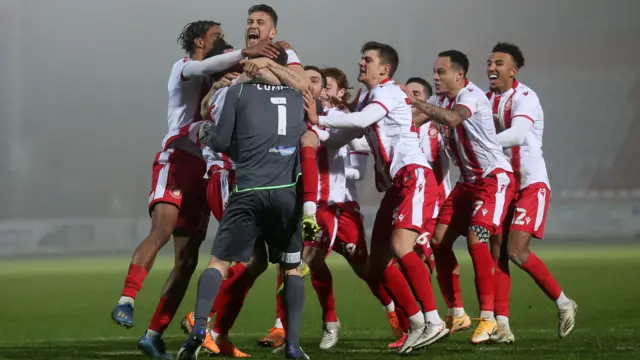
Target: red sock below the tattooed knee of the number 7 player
{"x":485,"y":280}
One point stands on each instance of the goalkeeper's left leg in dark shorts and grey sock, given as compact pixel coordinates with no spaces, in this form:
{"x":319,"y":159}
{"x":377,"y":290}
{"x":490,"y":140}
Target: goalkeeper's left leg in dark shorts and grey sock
{"x":237,"y":233}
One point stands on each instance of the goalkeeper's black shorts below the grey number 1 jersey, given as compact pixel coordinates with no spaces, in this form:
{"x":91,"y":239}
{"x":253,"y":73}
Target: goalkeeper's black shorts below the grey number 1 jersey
{"x":270,"y":216}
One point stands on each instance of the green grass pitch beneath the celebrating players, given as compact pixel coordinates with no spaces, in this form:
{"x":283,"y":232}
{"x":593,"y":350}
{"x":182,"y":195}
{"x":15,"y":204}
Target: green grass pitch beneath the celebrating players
{"x":59,"y":309}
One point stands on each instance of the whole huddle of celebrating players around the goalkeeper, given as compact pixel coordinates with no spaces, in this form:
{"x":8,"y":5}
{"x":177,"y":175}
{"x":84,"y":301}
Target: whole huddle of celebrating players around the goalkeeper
{"x":274,"y":149}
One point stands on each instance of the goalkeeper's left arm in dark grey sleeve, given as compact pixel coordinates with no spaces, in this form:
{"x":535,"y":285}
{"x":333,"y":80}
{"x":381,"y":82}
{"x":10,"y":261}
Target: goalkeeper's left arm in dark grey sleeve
{"x":219,"y":136}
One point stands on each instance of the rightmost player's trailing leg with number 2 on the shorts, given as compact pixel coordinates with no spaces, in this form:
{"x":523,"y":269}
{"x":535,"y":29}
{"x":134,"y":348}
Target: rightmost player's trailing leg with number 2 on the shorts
{"x":528,"y":221}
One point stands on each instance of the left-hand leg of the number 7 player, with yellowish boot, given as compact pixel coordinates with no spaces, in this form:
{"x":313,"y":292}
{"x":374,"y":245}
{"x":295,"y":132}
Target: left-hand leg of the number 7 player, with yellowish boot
{"x":451,"y":219}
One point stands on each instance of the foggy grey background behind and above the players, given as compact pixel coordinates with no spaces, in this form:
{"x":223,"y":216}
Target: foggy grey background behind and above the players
{"x":83,"y":100}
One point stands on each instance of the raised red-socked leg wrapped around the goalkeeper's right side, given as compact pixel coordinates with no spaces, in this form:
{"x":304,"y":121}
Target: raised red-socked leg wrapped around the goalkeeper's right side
{"x":308,"y":160}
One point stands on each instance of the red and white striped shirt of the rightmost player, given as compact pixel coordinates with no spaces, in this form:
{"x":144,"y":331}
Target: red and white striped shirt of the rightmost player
{"x":526,"y":160}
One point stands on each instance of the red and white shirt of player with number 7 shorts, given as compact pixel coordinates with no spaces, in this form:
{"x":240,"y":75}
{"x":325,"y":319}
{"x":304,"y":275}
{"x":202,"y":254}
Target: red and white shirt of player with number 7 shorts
{"x":473,"y":143}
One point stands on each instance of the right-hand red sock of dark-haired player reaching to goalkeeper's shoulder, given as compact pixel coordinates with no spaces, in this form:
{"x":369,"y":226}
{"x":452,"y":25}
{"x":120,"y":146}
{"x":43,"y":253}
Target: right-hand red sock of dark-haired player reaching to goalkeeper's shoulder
{"x":419,"y":279}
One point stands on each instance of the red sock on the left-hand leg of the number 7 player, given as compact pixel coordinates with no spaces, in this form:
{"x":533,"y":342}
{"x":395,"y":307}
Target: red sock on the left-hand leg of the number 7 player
{"x":448,"y":277}
